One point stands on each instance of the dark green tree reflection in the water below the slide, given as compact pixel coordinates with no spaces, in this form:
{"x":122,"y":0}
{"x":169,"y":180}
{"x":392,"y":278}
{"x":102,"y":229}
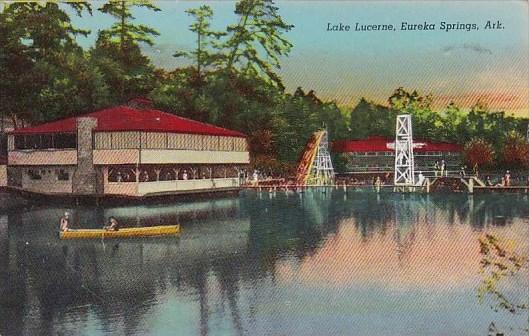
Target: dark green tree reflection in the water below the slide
{"x":290,"y":224}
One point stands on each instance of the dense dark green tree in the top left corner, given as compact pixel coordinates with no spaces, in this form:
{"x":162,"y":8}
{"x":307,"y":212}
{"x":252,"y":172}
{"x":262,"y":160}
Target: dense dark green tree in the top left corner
{"x":38,"y":49}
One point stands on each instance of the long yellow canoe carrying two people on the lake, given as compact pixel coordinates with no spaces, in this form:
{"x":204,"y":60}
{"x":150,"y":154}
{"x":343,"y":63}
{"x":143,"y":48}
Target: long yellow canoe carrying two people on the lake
{"x":121,"y":233}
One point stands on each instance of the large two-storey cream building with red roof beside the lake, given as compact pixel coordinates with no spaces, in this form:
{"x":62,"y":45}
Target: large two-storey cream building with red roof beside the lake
{"x":125,"y":150}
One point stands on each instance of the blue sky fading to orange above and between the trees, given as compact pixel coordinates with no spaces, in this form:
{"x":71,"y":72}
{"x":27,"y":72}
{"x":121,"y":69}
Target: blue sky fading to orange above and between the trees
{"x":460,"y":66}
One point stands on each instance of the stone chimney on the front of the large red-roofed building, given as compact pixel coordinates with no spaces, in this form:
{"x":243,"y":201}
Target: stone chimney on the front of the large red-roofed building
{"x":84,"y":179}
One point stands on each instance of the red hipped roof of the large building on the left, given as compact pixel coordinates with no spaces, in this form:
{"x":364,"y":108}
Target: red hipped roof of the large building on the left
{"x":125,"y":118}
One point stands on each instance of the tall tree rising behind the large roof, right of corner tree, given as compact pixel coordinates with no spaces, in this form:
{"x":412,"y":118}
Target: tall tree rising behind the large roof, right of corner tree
{"x":117,"y":52}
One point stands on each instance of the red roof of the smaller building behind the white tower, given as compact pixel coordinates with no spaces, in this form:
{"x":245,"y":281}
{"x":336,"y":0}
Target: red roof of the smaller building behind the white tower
{"x":381,"y":144}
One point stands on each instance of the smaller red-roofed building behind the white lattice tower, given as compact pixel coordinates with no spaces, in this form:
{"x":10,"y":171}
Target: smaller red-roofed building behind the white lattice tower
{"x":377,"y":154}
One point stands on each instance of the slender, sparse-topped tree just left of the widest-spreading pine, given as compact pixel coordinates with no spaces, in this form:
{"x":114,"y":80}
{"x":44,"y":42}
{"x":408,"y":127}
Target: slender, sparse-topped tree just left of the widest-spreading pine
{"x":206,"y":39}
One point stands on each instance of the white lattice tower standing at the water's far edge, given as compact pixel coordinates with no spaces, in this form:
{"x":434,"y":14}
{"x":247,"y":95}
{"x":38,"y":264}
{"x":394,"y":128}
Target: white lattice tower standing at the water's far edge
{"x":404,"y":163}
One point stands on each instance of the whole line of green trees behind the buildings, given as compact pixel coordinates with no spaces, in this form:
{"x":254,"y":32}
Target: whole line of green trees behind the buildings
{"x":232,"y":80}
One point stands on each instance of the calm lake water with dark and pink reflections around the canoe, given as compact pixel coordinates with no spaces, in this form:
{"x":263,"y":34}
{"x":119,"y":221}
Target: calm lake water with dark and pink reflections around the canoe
{"x":263,"y":264}
